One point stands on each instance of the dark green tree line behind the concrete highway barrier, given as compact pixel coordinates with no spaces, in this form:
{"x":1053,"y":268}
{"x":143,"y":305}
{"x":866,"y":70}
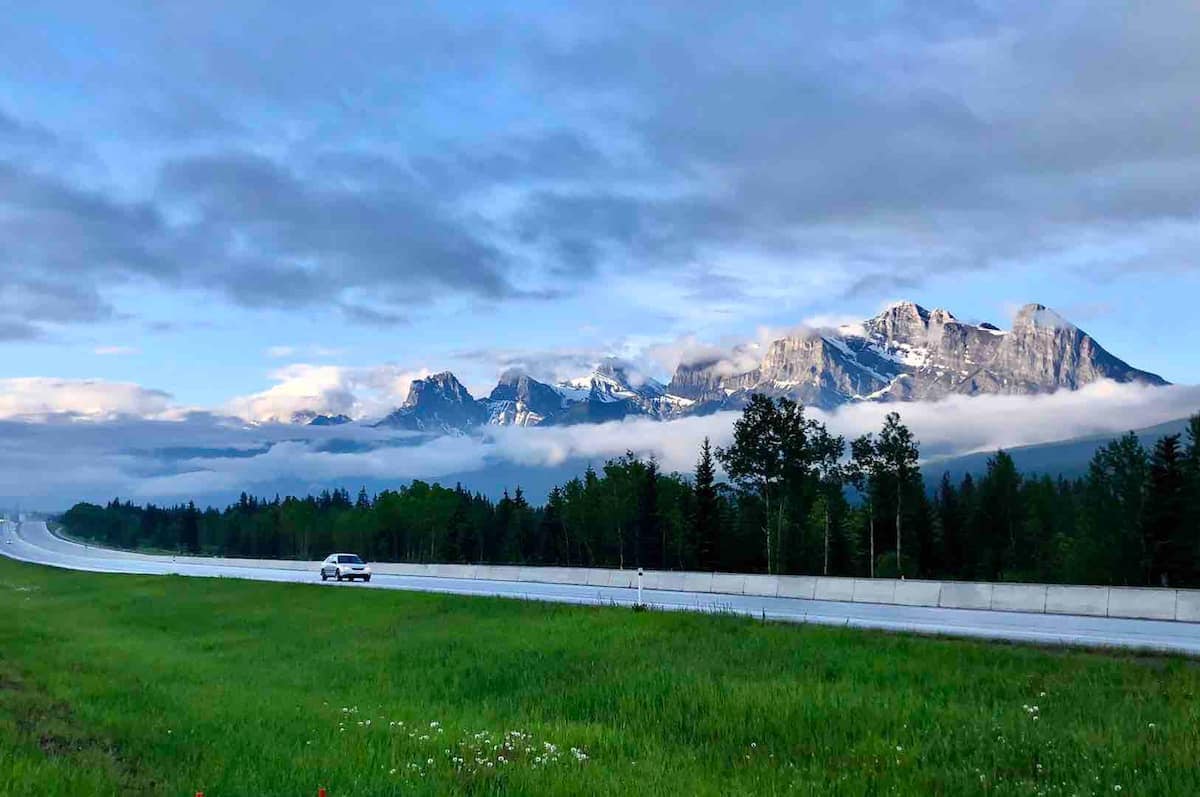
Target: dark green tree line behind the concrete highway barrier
{"x":799,"y":500}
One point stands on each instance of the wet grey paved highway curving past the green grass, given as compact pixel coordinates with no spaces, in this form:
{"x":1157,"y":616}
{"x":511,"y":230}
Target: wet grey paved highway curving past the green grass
{"x":33,"y":542}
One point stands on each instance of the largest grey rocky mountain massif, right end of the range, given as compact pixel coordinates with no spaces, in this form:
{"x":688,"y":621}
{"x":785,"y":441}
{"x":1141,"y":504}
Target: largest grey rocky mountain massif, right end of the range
{"x":909,"y":353}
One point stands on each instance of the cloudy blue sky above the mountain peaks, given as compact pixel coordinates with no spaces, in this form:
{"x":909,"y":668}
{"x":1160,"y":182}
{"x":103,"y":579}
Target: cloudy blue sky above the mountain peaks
{"x":197,"y":196}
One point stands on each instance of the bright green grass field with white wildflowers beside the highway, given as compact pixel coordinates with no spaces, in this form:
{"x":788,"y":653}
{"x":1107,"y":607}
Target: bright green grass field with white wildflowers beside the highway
{"x":148,"y":686}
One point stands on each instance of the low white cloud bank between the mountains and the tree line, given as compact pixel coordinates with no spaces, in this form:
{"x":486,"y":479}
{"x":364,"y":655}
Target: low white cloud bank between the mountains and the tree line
{"x":212,"y":458}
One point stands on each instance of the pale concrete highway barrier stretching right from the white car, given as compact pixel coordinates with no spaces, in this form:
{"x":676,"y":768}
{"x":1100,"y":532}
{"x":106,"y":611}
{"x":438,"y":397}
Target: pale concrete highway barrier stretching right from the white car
{"x":1136,"y":603}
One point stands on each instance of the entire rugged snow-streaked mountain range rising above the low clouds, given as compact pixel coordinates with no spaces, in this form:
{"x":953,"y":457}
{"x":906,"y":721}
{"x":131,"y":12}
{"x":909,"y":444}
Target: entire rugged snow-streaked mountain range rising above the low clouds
{"x":905,"y":353}
